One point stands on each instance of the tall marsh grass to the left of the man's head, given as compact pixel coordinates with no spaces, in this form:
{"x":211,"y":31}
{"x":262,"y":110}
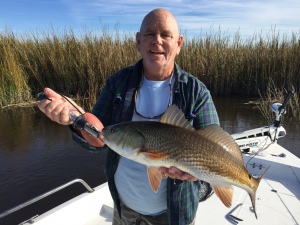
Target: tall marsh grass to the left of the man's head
{"x":75,"y":66}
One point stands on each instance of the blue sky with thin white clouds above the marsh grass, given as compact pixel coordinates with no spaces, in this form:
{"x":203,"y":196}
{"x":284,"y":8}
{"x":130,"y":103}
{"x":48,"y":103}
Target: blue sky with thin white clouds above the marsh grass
{"x":195,"y":17}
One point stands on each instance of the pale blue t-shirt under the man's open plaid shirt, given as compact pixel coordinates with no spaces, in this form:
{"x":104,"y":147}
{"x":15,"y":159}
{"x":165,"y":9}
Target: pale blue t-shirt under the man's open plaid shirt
{"x":131,"y":177}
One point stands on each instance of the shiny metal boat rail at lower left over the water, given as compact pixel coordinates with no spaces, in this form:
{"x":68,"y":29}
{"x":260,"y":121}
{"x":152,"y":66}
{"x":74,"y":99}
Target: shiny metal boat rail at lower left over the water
{"x":29,"y":202}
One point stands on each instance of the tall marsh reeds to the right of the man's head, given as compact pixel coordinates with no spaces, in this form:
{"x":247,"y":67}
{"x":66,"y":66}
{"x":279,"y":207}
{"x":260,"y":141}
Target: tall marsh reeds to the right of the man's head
{"x":231,"y":65}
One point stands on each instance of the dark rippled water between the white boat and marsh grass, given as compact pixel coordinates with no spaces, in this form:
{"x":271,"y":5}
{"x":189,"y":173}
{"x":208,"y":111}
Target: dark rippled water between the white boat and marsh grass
{"x":37,"y":155}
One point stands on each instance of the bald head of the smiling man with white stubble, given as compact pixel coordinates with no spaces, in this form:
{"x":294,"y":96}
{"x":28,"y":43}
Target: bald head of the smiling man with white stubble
{"x":159,"y":42}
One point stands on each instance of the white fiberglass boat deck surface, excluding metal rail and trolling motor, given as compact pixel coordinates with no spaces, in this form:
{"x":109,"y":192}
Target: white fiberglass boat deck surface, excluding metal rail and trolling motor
{"x":278,"y":198}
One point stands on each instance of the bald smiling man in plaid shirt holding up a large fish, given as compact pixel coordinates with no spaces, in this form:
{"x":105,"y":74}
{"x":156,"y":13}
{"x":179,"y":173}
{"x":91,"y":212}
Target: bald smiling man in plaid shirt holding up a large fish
{"x":143,"y":92}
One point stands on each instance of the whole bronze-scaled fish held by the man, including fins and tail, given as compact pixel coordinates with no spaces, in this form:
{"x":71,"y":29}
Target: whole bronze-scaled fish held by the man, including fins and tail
{"x":209,"y":154}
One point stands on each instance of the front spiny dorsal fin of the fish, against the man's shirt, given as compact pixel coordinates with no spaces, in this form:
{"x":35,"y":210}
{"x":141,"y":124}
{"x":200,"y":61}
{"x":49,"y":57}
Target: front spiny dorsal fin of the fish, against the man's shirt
{"x":175,"y":116}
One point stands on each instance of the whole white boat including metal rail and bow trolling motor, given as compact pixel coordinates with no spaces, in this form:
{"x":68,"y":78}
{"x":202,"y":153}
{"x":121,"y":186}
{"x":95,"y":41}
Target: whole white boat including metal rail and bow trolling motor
{"x":277,"y":198}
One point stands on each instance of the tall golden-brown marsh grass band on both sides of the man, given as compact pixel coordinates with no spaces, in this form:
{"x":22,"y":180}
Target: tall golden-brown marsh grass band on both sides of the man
{"x":262,"y":66}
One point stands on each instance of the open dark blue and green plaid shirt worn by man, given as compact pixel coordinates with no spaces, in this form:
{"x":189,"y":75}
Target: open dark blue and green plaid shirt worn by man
{"x":116,"y":104}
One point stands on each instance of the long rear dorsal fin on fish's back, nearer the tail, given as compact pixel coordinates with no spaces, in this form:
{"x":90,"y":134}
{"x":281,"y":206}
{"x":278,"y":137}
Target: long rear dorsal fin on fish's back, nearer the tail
{"x":216,"y":133}
